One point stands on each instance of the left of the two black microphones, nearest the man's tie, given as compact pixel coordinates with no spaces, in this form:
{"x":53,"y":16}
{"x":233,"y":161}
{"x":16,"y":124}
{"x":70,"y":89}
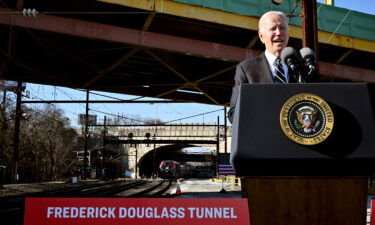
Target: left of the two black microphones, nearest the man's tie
{"x":290,"y":57}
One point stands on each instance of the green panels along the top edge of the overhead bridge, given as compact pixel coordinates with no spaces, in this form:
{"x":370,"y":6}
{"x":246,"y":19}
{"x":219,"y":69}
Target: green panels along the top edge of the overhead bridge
{"x":330,"y":18}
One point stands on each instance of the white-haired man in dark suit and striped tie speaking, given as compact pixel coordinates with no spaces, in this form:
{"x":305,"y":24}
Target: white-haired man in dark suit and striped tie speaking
{"x":267,"y":67}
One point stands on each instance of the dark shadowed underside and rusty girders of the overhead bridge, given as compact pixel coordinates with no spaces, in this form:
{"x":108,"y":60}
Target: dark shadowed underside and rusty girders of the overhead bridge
{"x":131,"y":49}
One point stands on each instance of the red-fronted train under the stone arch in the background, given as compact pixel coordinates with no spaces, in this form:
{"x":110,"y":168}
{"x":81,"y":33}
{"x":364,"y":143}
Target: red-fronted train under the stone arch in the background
{"x":170,"y":169}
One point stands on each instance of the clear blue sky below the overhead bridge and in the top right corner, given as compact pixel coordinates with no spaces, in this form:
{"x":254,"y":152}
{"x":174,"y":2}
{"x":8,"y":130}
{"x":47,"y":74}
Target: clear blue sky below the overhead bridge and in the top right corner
{"x":196,"y":113}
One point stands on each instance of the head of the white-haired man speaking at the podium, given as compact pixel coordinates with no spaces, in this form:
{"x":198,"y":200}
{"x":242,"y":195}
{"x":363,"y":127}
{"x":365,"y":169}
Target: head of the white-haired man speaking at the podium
{"x":274,"y":33}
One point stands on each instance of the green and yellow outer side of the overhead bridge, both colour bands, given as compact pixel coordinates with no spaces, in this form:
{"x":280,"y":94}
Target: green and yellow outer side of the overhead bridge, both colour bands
{"x":355,"y":32}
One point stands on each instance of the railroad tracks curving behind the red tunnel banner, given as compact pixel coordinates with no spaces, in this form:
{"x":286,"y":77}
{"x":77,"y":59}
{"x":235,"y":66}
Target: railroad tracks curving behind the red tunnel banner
{"x":12,"y":207}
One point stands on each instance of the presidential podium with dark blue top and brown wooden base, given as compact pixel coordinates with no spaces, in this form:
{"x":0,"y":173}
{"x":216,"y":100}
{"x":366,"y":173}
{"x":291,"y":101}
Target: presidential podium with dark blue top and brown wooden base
{"x":304,"y":152}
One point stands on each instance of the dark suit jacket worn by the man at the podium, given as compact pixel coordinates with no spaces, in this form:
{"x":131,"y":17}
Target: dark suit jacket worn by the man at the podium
{"x":255,"y":70}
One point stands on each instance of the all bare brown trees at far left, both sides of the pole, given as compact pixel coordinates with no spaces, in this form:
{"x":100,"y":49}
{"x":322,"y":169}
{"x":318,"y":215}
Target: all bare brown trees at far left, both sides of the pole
{"x":46,"y":142}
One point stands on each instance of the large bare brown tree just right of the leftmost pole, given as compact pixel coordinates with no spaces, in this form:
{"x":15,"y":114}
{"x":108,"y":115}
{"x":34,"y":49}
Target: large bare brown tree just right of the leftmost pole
{"x":47,"y":141}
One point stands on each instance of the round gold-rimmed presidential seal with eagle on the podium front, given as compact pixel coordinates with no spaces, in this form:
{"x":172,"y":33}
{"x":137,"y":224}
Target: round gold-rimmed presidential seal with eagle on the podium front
{"x":306,"y":119}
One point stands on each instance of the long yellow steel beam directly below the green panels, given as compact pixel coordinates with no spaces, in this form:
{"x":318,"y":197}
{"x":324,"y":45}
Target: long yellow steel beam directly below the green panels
{"x":215,"y":16}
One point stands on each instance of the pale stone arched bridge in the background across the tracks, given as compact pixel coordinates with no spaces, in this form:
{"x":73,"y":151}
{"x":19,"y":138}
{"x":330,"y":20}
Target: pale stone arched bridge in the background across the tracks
{"x":141,"y":148}
